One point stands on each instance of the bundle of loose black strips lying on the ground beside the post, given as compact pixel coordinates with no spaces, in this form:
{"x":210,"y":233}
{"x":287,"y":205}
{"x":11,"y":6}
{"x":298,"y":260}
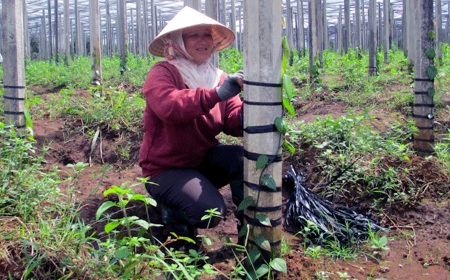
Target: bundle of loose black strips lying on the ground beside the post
{"x":333,"y":221}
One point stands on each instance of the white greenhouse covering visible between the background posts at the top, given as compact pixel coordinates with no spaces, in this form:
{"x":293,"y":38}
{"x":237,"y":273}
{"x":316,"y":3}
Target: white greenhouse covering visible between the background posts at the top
{"x":142,"y":26}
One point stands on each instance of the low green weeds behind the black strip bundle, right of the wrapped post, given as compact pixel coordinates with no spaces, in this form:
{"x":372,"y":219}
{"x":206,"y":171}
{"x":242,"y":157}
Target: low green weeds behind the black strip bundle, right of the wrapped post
{"x":350,"y":154}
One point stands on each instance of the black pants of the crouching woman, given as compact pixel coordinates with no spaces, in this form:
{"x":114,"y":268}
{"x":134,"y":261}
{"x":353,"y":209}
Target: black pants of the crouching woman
{"x":195,"y":190}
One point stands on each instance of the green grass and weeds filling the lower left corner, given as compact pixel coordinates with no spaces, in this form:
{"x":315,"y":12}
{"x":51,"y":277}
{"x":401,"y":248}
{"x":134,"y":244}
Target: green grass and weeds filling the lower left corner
{"x":38,"y":221}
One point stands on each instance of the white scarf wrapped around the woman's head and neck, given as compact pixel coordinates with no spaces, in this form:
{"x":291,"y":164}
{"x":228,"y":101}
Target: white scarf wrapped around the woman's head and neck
{"x":205,"y":75}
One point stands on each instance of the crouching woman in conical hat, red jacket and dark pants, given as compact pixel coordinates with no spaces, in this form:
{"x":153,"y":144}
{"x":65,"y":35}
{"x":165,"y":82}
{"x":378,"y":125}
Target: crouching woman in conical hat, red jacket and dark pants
{"x":188,"y":103}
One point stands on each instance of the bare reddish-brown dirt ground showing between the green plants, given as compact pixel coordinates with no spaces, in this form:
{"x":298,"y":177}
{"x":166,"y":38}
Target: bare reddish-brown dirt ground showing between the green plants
{"x":419,"y":238}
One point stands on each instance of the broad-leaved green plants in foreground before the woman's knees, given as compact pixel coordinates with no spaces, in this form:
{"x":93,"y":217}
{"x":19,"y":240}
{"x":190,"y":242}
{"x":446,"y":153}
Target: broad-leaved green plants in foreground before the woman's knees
{"x":132,"y":254}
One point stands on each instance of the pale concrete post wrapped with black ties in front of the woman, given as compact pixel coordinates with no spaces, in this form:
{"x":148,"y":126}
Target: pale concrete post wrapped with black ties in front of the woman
{"x":262,"y":141}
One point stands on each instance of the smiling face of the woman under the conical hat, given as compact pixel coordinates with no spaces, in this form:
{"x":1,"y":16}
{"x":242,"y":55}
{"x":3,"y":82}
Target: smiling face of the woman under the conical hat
{"x":198,"y":42}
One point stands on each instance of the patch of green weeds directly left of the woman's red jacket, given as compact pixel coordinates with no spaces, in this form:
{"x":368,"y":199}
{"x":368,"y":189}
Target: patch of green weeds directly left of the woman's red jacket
{"x":112,"y":112}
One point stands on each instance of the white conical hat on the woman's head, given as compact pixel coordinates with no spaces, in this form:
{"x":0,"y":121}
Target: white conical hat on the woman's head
{"x":188,"y":17}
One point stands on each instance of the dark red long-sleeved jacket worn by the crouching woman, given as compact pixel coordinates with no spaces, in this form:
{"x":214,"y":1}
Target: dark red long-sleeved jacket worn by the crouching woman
{"x":181,"y":124}
